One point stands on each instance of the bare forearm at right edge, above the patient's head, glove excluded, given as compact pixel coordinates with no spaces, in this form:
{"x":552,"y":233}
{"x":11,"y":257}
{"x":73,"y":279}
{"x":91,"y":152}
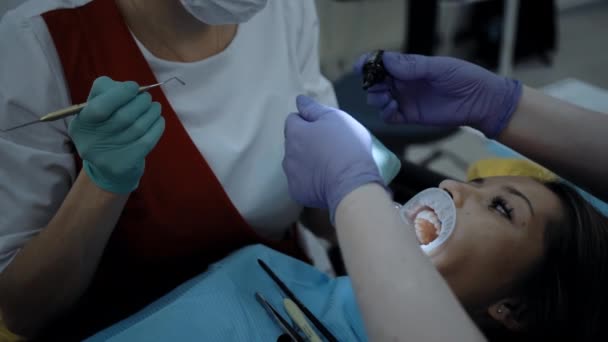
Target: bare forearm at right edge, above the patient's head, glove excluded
{"x":567,"y":139}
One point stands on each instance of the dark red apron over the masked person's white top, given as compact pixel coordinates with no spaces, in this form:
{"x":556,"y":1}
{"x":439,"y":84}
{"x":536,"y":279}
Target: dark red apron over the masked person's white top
{"x":179,"y":219}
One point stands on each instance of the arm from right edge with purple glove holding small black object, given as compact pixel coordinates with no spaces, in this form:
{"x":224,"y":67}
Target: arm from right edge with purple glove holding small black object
{"x":450,"y":92}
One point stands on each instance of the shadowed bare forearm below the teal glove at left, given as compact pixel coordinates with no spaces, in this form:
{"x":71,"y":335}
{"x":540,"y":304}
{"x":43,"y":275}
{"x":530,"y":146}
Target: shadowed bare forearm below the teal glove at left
{"x":54,"y":269}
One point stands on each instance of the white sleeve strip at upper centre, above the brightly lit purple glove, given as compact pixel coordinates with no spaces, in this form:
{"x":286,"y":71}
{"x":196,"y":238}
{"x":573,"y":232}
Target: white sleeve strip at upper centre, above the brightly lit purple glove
{"x":316,"y":85}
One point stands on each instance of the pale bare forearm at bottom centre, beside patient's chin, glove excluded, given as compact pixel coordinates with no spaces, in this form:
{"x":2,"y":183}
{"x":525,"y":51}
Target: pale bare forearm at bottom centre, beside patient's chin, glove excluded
{"x":400,"y":293}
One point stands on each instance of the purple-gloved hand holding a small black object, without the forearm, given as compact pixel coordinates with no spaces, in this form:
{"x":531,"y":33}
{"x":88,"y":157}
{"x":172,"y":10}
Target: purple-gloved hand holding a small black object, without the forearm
{"x":443,"y":91}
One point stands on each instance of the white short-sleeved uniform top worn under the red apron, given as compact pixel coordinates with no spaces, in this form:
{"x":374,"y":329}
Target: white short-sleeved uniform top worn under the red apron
{"x":233,"y":107}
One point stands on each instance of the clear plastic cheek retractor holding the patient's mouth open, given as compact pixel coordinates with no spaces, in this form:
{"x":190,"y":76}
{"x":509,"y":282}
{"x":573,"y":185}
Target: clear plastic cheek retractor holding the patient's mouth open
{"x":433,"y":214}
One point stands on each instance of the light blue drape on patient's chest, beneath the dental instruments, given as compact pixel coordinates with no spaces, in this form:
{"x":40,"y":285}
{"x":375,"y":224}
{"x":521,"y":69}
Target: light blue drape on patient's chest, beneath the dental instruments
{"x":219,"y":305}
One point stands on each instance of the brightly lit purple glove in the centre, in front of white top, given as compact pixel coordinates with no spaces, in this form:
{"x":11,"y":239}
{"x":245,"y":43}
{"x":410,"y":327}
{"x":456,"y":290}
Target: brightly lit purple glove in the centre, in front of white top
{"x":328,"y":154}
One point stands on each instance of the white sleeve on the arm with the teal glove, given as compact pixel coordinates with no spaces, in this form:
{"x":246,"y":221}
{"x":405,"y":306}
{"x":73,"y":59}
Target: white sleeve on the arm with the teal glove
{"x":37,"y":166}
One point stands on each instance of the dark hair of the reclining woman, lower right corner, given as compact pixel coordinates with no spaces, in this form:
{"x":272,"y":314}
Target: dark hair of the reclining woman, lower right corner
{"x":565,"y":294}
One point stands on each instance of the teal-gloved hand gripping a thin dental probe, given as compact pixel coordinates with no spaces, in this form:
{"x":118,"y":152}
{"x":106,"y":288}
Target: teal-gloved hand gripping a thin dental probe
{"x":114,"y":133}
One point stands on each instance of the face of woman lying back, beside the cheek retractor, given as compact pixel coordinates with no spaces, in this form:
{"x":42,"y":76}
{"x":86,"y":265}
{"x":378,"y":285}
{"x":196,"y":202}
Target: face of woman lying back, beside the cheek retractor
{"x":498,"y":236}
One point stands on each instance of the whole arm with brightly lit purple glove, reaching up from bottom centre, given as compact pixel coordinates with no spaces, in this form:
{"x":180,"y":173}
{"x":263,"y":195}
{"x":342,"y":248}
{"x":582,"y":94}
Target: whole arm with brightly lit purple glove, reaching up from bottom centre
{"x":329,"y":164}
